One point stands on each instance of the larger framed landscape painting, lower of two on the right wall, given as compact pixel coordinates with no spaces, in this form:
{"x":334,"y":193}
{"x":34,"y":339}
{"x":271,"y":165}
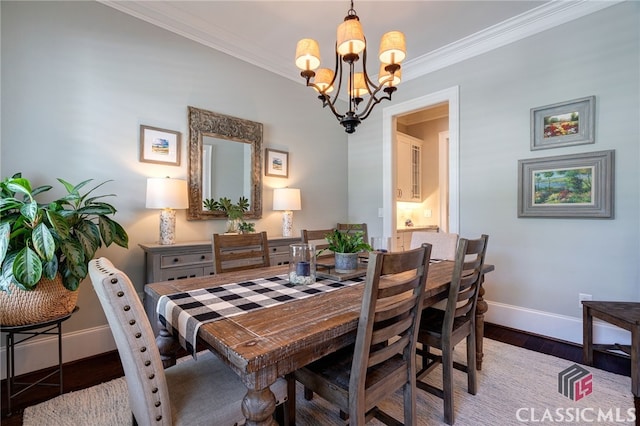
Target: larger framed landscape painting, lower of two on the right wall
{"x":577,"y":185}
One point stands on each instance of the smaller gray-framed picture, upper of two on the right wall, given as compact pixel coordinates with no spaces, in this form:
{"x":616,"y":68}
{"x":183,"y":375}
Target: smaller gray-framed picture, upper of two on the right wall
{"x":563,"y":124}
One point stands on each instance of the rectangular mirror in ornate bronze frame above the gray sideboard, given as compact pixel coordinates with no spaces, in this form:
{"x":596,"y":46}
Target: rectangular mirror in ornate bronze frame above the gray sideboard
{"x":225,"y":160}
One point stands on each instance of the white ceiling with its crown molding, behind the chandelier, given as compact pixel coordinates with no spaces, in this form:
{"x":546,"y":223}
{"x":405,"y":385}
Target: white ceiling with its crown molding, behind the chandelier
{"x":438,"y":33}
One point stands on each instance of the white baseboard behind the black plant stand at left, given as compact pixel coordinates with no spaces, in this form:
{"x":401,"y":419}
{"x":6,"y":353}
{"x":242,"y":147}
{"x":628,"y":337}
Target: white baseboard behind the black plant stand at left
{"x":43,"y":352}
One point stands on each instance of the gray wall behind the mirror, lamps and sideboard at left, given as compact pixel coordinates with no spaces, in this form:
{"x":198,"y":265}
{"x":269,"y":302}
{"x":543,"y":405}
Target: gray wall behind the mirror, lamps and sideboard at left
{"x":78,"y":80}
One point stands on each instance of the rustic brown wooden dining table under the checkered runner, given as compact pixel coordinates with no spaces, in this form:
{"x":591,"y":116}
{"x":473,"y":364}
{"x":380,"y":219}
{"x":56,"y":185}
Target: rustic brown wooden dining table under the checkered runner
{"x":268,"y":343}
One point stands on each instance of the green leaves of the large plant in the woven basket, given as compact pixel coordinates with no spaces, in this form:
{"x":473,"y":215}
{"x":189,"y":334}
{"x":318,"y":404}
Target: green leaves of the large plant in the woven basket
{"x":39,"y":240}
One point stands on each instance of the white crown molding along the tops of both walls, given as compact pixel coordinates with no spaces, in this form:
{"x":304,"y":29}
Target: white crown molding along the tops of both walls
{"x":549,"y":15}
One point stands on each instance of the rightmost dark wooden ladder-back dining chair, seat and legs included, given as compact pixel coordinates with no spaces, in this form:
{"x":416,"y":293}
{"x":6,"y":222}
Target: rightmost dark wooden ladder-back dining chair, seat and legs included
{"x":445,"y":329}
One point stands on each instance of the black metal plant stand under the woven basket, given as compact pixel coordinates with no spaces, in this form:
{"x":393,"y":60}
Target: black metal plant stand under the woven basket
{"x":51,"y":327}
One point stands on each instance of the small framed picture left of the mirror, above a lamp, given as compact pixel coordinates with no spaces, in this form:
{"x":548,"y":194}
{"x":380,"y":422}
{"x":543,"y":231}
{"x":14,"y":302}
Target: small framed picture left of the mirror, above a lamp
{"x":160,"y":146}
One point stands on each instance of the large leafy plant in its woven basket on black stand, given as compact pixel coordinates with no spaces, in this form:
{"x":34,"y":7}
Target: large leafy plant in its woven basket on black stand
{"x":45,"y":247}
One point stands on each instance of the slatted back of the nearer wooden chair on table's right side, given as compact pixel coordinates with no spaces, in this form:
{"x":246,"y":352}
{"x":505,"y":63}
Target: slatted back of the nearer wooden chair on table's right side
{"x":390,"y":313}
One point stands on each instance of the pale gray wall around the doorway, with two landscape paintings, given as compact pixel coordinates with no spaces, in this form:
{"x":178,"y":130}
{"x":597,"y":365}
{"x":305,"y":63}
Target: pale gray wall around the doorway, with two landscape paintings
{"x":541,"y":264}
